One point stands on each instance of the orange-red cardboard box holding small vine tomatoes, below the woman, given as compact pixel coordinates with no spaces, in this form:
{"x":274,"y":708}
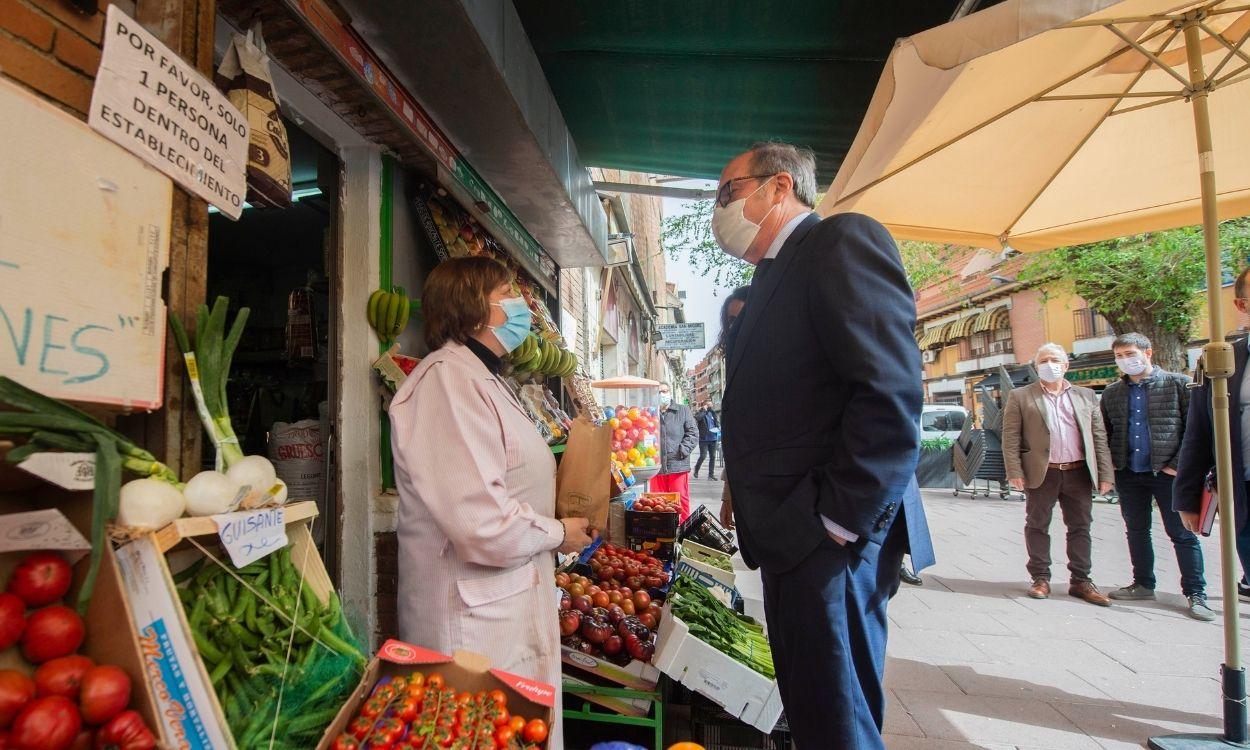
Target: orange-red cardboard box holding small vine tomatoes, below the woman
{"x":466,"y":672}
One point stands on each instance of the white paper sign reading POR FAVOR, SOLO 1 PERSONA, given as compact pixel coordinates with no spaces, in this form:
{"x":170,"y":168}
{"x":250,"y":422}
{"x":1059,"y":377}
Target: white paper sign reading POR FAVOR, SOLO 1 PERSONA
{"x":158,"y":107}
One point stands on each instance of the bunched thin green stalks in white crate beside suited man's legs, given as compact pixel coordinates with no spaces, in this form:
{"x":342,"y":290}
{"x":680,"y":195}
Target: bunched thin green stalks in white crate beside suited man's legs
{"x":721,"y":628}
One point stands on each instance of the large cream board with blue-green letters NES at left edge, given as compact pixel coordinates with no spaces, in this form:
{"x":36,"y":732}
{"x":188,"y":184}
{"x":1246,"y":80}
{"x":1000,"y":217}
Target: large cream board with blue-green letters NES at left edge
{"x":84,"y":243}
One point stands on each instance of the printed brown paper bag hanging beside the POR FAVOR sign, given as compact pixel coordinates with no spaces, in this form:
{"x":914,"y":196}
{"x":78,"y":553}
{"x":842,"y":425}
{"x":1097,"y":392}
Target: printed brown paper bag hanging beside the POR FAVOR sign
{"x":246,"y":78}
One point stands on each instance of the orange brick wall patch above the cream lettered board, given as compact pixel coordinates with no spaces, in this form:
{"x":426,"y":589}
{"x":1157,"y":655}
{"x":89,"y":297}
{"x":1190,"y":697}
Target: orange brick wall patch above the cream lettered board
{"x":53,"y":49}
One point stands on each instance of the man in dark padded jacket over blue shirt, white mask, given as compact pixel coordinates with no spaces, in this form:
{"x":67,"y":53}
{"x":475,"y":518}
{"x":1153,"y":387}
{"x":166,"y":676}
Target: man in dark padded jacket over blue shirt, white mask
{"x":1146,"y":412}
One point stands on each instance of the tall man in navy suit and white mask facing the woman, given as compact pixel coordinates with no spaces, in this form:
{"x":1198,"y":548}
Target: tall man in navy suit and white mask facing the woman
{"x":821,"y":438}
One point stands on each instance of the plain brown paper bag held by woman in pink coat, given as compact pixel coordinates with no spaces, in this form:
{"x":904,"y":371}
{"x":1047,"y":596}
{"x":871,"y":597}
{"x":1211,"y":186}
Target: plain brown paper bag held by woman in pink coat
{"x":583,"y":483}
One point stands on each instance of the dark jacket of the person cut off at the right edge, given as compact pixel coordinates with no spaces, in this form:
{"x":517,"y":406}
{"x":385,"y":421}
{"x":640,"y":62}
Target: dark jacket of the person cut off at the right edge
{"x":1198,"y":448}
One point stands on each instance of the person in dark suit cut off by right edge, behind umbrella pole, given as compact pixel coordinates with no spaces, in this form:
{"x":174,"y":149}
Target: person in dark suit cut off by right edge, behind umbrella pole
{"x":1198,"y":448}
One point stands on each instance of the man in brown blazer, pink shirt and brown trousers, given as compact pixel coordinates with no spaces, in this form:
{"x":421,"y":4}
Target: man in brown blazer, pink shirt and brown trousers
{"x":1054,"y":447}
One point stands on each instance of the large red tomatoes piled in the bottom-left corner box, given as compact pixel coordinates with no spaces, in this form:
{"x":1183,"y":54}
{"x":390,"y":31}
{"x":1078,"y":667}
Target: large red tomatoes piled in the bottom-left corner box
{"x":72,"y":699}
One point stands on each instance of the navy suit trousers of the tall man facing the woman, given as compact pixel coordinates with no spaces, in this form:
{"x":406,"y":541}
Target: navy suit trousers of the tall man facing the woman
{"x":828,"y":631}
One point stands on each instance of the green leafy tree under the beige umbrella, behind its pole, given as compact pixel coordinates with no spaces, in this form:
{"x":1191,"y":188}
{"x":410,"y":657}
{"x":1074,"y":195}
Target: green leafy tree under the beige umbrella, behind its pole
{"x":1148,"y":284}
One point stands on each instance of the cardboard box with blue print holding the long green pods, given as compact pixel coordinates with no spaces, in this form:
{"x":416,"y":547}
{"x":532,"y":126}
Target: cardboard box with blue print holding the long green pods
{"x":186,"y":701}
